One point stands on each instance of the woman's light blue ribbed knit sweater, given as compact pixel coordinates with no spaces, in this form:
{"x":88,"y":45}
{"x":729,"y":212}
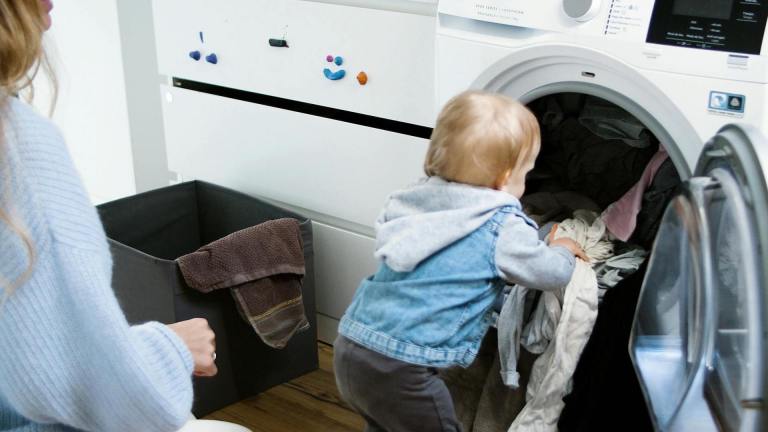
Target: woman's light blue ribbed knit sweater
{"x":68,"y":358}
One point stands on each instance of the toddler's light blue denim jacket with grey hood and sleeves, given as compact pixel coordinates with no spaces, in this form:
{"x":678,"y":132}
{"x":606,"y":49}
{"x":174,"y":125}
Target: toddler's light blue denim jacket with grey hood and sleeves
{"x":446,"y":250}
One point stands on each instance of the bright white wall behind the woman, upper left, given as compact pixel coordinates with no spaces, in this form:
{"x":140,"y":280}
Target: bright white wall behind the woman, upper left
{"x":92,"y":112}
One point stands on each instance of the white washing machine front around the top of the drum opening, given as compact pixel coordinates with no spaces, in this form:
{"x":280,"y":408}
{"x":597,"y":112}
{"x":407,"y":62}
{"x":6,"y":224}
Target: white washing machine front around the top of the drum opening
{"x":683,"y":94}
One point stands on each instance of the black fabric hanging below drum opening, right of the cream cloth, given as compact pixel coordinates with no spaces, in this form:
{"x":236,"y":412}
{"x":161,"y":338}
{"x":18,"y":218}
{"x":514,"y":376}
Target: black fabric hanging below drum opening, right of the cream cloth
{"x":606,"y":391}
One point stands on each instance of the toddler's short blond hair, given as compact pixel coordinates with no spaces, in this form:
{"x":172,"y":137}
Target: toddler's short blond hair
{"x":479,"y":136}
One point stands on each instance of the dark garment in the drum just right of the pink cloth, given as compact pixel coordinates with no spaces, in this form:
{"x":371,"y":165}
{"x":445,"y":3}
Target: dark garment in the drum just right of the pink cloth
{"x":666,"y":184}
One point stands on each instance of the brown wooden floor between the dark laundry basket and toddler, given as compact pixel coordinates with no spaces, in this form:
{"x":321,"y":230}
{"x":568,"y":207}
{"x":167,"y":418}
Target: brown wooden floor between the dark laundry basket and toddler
{"x":309,"y":403}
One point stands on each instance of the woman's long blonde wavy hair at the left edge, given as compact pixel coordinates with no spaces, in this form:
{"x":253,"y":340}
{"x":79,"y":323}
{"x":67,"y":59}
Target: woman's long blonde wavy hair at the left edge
{"x":22,"y":25}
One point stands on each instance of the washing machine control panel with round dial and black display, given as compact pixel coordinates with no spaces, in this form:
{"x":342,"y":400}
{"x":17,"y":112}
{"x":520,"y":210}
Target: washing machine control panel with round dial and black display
{"x":736,"y":26}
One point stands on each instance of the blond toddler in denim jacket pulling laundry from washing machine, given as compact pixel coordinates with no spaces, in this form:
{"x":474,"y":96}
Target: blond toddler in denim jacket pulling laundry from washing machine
{"x":447,"y":246}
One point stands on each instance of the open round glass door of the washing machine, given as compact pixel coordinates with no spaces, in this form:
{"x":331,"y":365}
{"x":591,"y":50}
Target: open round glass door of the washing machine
{"x":698,"y":341}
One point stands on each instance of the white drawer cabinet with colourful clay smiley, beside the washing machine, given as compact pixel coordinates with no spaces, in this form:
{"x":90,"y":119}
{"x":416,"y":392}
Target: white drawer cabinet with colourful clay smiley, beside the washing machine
{"x":336,"y":172}
